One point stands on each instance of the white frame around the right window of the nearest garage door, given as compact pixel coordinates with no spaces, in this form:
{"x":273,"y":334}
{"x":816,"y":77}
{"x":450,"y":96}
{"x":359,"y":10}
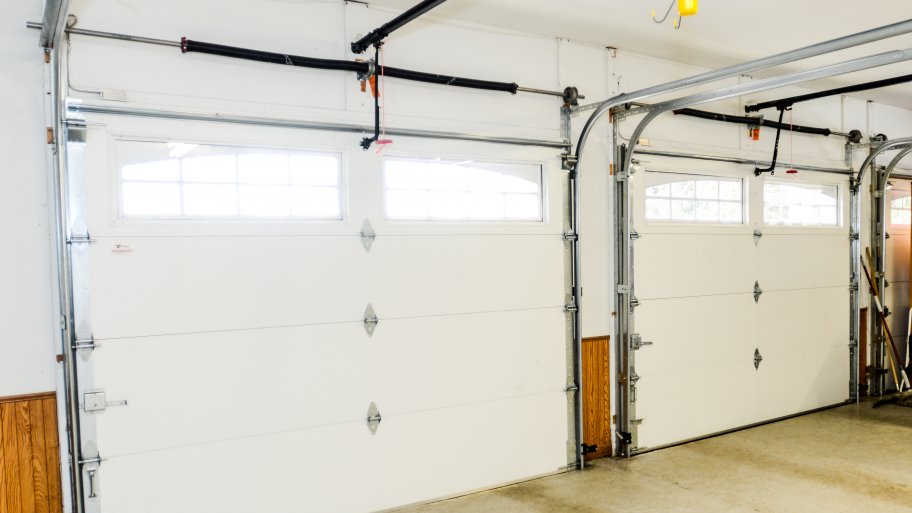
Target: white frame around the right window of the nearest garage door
{"x":543,"y":194}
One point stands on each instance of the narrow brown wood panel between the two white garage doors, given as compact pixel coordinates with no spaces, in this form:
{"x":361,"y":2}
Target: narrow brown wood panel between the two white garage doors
{"x":597,"y":396}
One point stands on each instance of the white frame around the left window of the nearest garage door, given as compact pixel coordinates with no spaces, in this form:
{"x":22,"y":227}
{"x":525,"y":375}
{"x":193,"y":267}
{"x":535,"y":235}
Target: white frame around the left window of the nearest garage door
{"x":215,"y":220}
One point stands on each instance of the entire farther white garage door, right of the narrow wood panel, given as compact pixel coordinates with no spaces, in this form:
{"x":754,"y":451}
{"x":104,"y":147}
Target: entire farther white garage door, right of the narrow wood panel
{"x":697,"y":264}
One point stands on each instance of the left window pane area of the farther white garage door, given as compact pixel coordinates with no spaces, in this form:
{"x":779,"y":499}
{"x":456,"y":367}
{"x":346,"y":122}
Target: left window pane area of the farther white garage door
{"x":679,"y":198}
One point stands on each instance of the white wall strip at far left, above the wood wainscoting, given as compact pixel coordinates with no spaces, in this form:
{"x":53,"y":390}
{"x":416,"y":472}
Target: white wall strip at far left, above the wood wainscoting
{"x":26,"y":294}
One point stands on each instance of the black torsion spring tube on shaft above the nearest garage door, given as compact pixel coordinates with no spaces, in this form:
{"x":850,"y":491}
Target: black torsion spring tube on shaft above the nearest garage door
{"x":363,"y":68}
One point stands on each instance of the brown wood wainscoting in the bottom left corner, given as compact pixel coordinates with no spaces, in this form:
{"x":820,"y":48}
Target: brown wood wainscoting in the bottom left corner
{"x":29,"y":455}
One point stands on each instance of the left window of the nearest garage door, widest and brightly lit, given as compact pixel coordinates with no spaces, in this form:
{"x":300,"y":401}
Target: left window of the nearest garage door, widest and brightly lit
{"x":176,"y":180}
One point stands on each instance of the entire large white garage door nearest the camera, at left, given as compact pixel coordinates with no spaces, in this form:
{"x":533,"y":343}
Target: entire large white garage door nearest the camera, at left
{"x":229,"y":283}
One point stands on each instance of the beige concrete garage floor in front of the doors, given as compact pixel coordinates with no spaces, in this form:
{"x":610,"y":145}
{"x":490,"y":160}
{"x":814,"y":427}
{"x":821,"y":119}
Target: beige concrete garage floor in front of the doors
{"x":852,"y":459}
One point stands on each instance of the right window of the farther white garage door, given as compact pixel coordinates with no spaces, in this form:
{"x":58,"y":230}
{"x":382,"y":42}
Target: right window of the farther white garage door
{"x":800,"y":204}
